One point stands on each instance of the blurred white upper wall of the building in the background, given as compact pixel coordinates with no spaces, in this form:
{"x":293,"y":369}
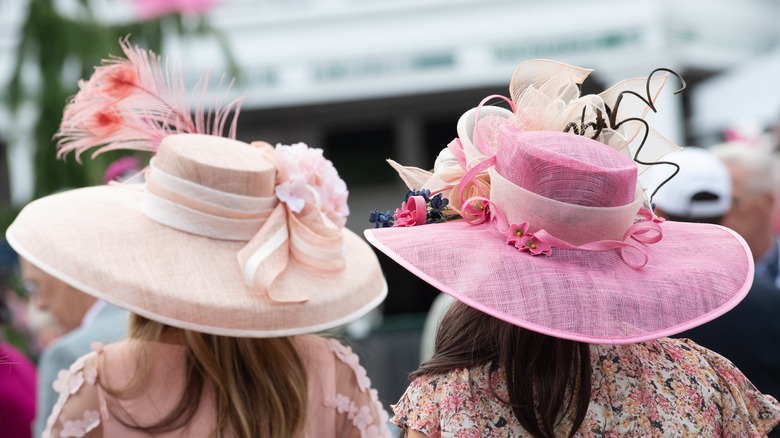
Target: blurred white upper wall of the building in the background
{"x":298,"y":53}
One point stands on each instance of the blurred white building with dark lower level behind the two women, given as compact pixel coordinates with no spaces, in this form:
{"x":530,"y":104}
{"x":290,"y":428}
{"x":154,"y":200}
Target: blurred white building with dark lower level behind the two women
{"x":372,"y":79}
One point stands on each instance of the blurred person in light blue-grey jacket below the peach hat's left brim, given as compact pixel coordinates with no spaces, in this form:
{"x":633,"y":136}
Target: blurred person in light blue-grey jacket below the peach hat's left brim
{"x":84,"y":320}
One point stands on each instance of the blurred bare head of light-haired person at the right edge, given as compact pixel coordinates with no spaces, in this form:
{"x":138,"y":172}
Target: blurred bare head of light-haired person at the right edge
{"x":754,"y":179}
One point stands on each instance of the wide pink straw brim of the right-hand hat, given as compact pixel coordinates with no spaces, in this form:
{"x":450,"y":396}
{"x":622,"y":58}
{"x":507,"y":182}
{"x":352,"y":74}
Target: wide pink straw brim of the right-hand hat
{"x":694,"y":274}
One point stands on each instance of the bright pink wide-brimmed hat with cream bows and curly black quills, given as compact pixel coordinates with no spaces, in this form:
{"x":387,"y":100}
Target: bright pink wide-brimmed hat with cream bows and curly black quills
{"x":554,"y":232}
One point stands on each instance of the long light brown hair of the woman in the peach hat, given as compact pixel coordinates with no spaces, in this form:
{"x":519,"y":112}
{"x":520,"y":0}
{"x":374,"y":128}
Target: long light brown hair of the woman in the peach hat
{"x":259,"y":384}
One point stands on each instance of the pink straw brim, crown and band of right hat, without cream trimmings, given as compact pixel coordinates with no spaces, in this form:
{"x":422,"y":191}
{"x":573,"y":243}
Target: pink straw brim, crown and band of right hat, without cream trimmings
{"x":564,"y":245}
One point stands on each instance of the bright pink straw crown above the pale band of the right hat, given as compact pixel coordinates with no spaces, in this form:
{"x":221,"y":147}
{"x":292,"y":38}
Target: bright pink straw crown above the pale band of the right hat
{"x":566,"y":167}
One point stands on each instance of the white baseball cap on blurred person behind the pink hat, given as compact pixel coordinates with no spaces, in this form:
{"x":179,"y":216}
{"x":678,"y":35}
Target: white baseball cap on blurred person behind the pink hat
{"x":700,"y":172}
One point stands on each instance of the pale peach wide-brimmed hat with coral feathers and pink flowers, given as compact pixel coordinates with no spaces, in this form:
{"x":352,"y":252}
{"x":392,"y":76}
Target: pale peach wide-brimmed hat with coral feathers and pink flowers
{"x":223,"y":237}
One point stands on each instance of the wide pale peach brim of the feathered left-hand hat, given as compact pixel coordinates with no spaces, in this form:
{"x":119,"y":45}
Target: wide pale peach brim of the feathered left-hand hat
{"x":97,"y":240}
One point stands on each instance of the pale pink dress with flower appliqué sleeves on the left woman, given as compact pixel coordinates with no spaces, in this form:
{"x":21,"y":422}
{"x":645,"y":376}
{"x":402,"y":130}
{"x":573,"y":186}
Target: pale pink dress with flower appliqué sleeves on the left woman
{"x":341,"y":400}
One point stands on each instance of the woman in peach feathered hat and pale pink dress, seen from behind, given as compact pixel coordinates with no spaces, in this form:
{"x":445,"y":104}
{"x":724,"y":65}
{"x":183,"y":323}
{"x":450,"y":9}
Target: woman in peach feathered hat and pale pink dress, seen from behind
{"x":229,"y":257}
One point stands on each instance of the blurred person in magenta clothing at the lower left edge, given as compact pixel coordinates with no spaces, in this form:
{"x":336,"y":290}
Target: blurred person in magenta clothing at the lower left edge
{"x":17,"y":372}
